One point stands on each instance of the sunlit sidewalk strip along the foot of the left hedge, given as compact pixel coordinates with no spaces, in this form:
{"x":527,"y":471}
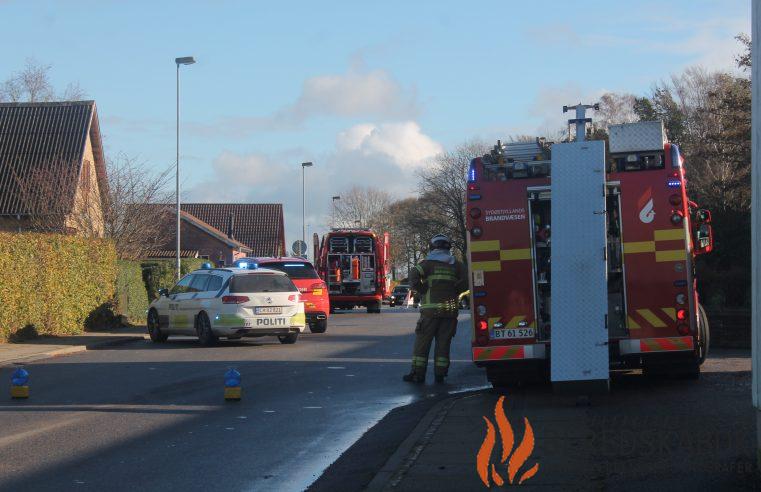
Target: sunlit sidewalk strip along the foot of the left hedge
{"x":44,"y":347}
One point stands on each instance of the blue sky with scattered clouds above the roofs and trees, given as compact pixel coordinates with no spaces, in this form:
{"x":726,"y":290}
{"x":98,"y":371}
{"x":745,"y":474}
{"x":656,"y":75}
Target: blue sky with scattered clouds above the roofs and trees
{"x":368,"y":91}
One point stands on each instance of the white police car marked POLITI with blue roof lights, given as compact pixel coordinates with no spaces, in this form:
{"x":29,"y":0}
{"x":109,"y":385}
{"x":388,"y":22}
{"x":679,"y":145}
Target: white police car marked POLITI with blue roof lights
{"x":228,"y":302}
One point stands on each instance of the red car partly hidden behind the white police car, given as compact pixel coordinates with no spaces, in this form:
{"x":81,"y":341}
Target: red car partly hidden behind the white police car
{"x":314,"y":292}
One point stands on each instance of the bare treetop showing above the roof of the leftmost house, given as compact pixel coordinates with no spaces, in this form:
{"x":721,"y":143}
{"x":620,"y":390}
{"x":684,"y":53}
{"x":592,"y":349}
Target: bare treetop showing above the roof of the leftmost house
{"x":32,"y":84}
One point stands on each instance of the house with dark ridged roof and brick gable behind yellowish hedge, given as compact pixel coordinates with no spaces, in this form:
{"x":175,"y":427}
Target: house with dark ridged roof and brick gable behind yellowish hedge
{"x":52,"y":169}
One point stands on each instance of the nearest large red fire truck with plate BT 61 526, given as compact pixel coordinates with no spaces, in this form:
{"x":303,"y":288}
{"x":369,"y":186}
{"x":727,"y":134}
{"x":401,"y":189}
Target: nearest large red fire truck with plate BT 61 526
{"x":582,"y":258}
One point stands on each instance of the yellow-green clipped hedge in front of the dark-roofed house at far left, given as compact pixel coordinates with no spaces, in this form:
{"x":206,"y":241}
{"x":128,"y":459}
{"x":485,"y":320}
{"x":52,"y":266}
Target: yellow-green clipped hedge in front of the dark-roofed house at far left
{"x":50,"y":284}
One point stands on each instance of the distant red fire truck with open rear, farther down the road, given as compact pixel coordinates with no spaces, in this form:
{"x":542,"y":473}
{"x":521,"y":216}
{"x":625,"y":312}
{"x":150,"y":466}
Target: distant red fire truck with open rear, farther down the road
{"x":354,"y":263}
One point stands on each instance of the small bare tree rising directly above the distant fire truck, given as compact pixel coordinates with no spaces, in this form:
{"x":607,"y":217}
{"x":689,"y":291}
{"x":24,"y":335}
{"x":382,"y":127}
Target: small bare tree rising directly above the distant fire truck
{"x":362,"y":207}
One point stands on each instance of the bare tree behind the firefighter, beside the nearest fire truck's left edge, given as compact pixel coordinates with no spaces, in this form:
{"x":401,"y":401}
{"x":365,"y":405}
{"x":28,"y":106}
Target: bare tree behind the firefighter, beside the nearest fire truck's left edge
{"x":442,"y":188}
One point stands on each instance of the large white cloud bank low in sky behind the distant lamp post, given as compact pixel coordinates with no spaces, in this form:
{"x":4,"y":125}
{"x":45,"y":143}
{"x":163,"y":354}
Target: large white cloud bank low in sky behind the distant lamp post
{"x":383,"y":155}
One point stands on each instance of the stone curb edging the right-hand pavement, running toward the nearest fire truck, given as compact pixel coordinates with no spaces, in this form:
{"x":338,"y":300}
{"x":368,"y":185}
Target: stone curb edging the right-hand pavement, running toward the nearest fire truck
{"x":409,"y":450}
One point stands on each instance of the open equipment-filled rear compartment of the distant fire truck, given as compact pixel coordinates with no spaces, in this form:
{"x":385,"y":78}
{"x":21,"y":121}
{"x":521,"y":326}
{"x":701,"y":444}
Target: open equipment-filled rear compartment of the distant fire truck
{"x":351,"y":260}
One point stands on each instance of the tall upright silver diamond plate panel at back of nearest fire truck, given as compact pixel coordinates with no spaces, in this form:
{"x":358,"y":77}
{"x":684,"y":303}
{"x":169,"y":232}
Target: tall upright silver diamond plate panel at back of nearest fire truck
{"x":579,"y":299}
